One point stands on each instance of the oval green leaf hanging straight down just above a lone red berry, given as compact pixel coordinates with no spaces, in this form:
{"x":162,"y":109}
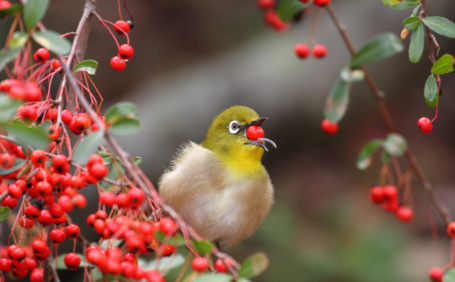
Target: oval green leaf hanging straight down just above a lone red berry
{"x":337,"y":101}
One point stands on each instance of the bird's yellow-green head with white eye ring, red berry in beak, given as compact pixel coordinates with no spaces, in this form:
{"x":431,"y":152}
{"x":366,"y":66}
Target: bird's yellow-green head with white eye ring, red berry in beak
{"x":233,"y":137}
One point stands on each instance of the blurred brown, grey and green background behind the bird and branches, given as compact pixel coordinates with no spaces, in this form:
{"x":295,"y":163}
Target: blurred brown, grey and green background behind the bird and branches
{"x":195,"y":58}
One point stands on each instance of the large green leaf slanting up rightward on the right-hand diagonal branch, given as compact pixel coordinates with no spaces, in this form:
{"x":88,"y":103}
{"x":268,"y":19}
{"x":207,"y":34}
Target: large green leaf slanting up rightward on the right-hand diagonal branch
{"x":379,"y":48}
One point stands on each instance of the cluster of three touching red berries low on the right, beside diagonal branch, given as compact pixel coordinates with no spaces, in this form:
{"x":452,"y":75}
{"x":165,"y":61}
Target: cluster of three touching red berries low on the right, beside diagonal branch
{"x":388,"y":198}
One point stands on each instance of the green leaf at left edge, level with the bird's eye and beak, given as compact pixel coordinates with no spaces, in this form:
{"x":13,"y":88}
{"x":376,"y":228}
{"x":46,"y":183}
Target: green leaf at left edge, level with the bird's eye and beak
{"x":26,"y":136}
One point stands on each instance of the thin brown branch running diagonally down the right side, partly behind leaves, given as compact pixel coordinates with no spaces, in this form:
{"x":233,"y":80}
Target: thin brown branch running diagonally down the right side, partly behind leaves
{"x":379,"y":95}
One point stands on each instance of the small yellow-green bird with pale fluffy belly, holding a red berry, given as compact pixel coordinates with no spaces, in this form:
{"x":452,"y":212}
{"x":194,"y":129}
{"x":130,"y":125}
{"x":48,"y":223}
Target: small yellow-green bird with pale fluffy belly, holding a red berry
{"x":220,"y":186}
